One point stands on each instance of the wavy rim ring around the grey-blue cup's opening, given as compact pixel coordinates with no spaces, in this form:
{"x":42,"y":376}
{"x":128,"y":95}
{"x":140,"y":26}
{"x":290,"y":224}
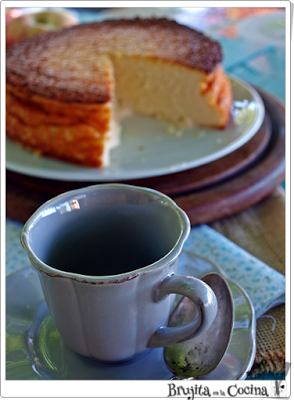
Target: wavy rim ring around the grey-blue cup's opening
{"x":159,"y":264}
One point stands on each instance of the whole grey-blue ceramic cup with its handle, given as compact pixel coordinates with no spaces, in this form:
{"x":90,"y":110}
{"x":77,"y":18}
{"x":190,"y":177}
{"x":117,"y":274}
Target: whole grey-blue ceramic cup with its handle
{"x":107,"y":257}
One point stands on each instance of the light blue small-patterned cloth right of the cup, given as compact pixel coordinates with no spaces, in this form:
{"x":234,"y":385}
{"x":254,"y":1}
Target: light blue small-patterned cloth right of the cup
{"x":264,"y":285}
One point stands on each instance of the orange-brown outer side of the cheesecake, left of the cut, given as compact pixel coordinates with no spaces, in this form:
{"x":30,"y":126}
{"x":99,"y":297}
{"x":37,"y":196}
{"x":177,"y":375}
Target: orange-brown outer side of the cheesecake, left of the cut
{"x":76,"y":133}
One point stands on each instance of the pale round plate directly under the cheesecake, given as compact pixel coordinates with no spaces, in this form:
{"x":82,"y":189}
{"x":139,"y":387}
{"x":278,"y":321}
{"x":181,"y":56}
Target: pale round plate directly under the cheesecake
{"x":148,"y":148}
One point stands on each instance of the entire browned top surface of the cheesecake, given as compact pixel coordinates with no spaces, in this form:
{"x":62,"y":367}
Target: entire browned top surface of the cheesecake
{"x":61,"y":64}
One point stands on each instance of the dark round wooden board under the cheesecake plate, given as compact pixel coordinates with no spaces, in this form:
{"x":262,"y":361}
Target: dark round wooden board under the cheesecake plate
{"x":207,"y":193}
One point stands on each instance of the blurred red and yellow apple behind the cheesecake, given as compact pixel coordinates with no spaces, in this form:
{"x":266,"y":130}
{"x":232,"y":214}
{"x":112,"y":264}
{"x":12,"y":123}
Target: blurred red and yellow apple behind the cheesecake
{"x":31,"y":24}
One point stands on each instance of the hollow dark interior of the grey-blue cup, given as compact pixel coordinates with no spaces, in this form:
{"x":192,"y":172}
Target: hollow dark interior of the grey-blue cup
{"x":101,"y":236}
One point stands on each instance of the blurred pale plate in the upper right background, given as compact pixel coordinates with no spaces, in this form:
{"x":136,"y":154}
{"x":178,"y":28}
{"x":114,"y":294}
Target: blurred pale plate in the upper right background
{"x":267,"y":29}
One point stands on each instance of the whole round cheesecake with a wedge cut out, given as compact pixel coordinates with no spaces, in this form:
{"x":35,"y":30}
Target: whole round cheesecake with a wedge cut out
{"x":66,"y":90}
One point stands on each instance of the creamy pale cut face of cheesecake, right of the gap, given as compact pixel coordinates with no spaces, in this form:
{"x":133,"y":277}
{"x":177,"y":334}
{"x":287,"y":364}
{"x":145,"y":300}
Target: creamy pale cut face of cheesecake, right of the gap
{"x":168,"y":91}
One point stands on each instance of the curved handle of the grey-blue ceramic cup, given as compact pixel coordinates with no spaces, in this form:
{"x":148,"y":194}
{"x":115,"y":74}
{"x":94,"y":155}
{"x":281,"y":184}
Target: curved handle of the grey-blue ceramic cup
{"x":202,"y":296}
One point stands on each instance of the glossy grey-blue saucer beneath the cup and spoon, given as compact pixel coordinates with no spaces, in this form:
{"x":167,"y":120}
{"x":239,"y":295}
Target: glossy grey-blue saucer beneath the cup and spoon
{"x":35,"y":350}
